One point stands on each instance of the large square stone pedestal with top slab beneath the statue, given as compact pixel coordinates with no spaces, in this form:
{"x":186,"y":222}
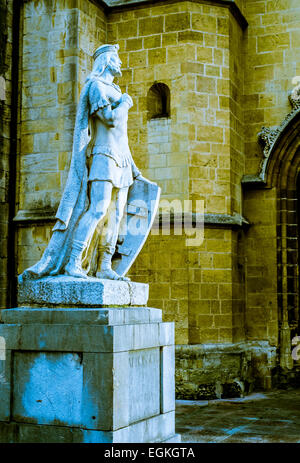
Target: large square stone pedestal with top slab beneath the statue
{"x":86,"y":374}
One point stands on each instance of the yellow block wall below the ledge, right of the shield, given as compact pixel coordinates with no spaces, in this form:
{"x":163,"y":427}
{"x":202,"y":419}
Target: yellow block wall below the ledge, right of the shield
{"x":194,"y":285}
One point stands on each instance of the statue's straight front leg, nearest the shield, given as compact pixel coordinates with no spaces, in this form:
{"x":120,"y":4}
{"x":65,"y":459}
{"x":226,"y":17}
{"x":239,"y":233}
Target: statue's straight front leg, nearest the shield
{"x":110,"y":235}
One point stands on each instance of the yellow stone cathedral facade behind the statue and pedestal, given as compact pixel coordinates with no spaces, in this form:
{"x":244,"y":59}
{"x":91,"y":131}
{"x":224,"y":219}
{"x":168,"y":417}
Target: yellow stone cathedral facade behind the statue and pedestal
{"x":215,"y":123}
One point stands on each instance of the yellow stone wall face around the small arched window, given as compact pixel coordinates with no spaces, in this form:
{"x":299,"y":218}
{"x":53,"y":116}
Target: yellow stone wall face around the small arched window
{"x":155,"y":46}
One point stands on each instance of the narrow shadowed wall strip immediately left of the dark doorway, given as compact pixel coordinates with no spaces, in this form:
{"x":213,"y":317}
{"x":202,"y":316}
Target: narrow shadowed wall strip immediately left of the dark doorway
{"x":261,"y":266}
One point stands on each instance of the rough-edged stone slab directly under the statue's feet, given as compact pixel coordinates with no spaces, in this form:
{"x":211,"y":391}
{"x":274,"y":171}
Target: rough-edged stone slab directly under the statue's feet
{"x":63,"y":290}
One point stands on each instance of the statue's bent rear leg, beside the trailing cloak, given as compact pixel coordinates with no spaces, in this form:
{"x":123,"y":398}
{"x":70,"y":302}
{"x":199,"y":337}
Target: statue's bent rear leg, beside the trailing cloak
{"x":100,"y":198}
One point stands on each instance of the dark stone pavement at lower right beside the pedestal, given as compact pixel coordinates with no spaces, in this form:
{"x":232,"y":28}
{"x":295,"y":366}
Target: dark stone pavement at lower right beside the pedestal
{"x":257,"y":418}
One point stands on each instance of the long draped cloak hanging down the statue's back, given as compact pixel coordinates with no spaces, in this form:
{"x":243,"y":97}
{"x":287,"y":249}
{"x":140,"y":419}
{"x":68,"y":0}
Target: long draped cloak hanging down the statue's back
{"x":74,"y":200}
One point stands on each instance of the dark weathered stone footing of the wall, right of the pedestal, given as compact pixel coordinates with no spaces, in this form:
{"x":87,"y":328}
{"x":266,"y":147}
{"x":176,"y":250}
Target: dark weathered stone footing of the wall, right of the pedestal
{"x":211,"y":371}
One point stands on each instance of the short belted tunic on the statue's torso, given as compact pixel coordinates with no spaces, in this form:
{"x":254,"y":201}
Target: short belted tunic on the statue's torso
{"x":111,"y":157}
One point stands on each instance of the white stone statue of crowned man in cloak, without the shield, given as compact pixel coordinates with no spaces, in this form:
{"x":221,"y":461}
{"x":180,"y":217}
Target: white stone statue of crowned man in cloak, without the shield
{"x":100,"y":136}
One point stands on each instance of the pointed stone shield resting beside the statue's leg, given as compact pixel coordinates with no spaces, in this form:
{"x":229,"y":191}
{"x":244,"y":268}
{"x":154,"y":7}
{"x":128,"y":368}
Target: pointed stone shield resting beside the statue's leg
{"x":142,"y":205}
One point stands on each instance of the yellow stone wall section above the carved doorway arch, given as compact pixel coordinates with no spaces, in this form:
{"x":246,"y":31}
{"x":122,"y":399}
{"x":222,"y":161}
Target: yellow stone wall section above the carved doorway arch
{"x":272,"y":51}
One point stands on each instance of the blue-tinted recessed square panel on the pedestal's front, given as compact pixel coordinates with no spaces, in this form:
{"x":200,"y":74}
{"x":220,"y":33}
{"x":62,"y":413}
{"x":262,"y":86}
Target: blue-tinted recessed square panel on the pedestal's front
{"x":47,"y":388}
